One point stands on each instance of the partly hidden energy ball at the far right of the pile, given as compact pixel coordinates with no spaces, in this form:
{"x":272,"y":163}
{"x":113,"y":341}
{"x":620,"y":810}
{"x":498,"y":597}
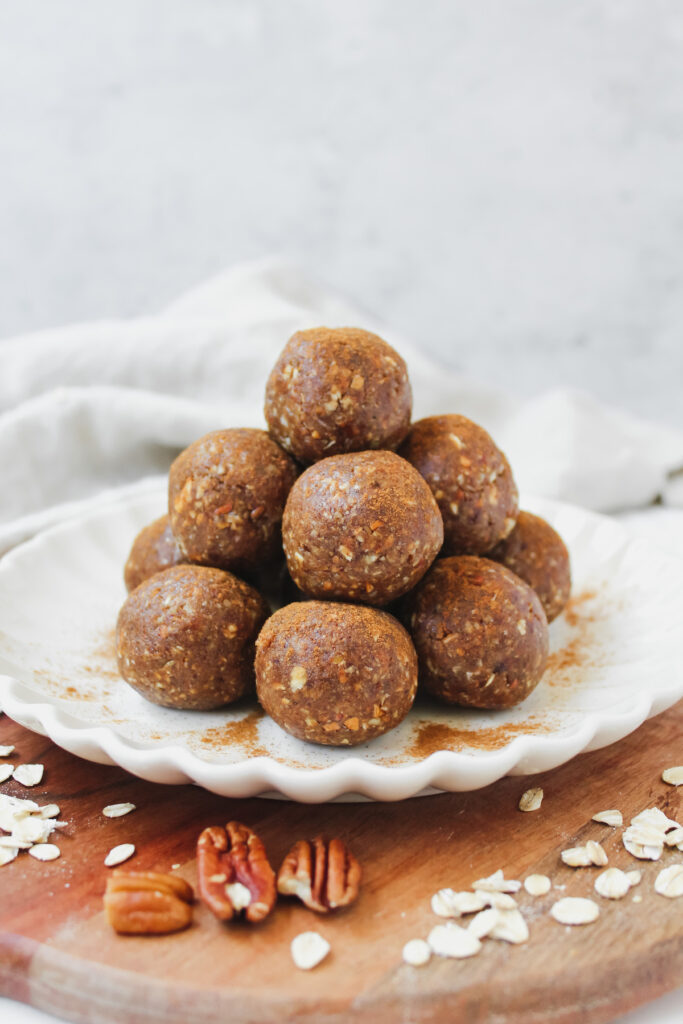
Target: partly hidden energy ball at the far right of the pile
{"x":537,"y":553}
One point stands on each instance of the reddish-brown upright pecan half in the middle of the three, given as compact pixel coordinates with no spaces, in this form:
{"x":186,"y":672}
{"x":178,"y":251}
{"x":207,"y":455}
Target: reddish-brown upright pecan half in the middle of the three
{"x":235,"y":874}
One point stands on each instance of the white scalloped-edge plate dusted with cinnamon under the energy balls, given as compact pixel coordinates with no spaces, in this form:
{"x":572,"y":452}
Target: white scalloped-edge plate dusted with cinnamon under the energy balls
{"x":616,"y":661}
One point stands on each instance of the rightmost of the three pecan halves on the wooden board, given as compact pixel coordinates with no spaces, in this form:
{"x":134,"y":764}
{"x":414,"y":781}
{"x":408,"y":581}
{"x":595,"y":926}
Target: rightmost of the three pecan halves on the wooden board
{"x":324,"y":874}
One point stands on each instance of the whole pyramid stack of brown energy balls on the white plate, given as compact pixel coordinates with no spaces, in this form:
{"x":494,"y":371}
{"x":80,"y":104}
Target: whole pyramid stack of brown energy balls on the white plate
{"x":421,"y":520}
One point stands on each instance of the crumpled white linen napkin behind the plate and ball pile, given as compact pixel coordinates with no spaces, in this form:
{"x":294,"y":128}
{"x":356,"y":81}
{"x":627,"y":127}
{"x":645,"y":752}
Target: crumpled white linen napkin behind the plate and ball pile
{"x":92,"y":412}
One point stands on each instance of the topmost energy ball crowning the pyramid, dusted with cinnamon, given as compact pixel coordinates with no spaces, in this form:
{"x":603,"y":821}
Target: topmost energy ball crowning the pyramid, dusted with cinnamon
{"x":335,"y":391}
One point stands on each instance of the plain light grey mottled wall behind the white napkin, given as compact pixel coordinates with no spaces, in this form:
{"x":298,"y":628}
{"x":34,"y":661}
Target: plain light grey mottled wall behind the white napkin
{"x":500,"y":180}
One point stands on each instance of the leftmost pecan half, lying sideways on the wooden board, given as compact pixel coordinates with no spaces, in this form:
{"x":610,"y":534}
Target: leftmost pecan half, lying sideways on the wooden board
{"x":148,"y":903}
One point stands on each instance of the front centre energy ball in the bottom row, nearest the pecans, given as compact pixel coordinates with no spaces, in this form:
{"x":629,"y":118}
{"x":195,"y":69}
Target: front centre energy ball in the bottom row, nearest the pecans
{"x":335,"y":674}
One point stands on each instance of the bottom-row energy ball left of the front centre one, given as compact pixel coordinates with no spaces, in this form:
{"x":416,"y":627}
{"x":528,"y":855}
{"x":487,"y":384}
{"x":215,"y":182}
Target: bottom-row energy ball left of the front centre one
{"x":186,"y":637}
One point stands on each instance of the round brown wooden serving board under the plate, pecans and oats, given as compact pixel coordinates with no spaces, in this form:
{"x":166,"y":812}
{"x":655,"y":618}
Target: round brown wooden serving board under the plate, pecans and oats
{"x":58,"y":953}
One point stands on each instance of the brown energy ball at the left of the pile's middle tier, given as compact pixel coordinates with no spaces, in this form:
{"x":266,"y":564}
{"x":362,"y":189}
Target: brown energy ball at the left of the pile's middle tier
{"x":227,"y":495}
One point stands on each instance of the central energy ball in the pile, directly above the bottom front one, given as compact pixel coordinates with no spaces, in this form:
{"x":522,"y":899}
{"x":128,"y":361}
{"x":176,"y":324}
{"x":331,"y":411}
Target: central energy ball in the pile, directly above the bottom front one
{"x":363,"y":528}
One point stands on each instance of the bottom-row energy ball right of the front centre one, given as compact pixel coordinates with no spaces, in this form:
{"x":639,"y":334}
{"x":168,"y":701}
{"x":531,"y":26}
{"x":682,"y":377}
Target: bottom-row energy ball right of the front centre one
{"x":481,"y":633}
